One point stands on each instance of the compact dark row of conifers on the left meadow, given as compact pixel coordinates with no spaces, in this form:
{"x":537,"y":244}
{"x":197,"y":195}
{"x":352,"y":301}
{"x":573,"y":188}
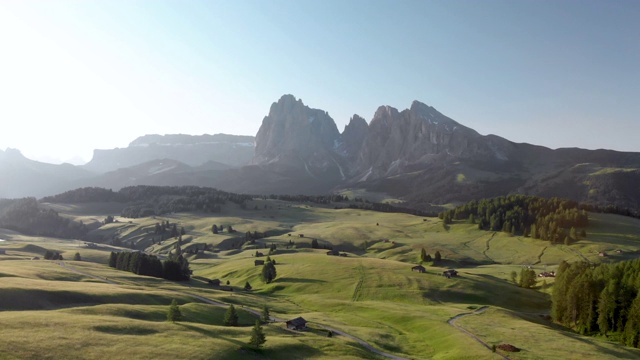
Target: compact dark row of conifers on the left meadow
{"x":176,"y":269}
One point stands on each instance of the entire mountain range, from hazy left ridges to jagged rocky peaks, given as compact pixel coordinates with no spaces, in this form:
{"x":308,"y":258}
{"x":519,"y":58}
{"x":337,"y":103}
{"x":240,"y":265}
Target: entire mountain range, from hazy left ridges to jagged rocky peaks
{"x":417,"y":155}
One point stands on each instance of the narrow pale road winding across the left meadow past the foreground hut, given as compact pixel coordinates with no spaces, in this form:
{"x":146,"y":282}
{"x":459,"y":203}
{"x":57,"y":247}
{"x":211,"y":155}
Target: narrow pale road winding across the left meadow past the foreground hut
{"x":364,"y":344}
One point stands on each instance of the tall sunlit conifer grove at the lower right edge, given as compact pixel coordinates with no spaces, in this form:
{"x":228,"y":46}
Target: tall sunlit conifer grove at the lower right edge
{"x":604,"y":299}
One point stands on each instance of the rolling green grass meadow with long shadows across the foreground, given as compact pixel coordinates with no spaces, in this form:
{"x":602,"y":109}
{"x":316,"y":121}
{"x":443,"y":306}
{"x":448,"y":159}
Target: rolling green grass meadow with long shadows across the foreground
{"x":52,"y":312}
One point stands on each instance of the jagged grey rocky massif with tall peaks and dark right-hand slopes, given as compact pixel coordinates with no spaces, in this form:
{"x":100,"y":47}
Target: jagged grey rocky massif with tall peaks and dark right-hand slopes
{"x":424,"y":157}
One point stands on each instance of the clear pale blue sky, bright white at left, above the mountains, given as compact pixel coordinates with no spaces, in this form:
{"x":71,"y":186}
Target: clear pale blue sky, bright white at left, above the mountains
{"x":82,"y":75}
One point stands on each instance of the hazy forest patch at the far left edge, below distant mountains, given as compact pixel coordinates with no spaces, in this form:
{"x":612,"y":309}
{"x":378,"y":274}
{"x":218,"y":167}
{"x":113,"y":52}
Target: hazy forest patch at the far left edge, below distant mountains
{"x":26,"y":216}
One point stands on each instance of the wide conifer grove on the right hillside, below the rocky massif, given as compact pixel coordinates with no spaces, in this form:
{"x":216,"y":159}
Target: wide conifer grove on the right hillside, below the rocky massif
{"x":551,"y":219}
